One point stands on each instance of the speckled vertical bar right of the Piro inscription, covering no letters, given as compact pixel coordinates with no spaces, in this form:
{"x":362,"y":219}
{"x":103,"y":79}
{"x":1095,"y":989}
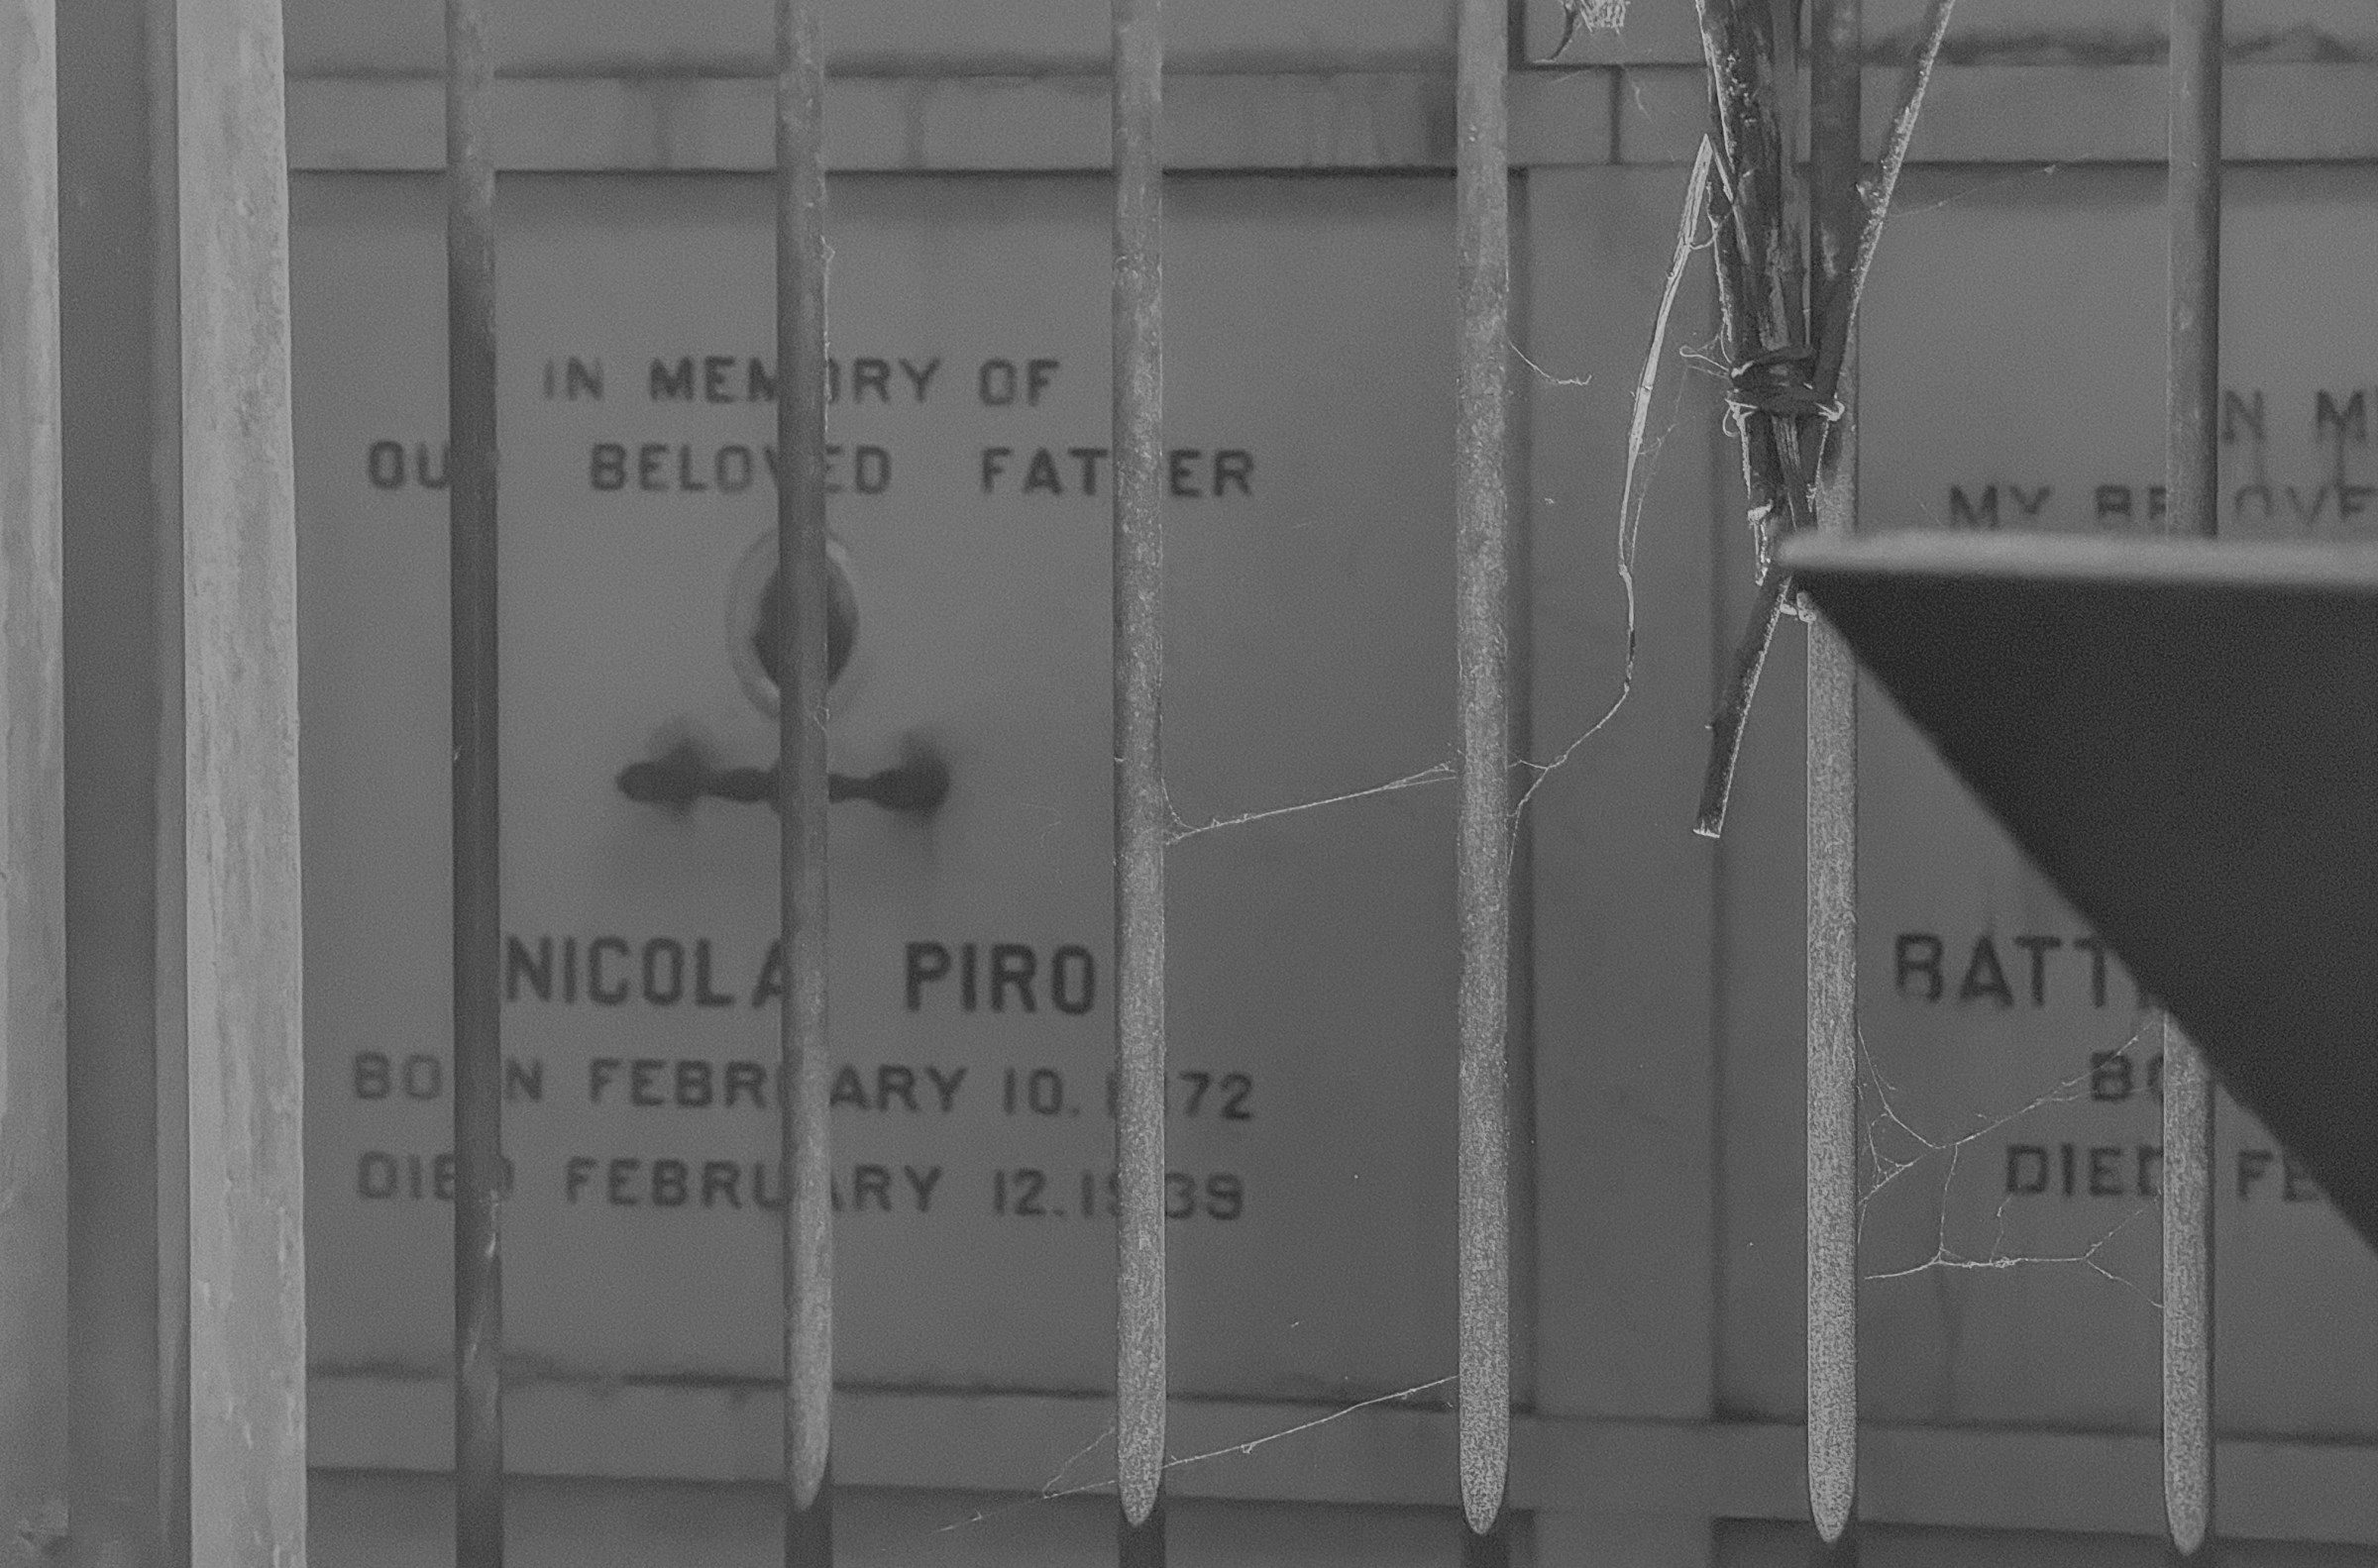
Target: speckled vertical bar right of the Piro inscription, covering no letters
{"x":1483,"y":659}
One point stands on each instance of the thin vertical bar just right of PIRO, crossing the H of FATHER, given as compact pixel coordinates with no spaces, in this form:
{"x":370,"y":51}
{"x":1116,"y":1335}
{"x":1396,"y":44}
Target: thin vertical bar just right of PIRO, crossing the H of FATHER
{"x":1138,"y":343}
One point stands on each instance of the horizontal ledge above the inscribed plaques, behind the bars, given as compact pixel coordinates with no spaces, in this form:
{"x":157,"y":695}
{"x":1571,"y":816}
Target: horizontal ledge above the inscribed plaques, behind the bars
{"x":1297,"y":122}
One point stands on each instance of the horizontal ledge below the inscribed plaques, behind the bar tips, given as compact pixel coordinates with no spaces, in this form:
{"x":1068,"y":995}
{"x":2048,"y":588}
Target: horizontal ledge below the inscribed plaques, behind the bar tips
{"x":1987,"y":1479}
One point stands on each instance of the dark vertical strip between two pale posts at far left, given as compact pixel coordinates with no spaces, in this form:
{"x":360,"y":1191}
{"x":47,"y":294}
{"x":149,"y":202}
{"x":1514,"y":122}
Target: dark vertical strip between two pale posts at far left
{"x":120,"y":483}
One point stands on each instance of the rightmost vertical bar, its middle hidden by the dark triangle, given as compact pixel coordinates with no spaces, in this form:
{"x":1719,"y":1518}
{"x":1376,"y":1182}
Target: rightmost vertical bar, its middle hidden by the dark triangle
{"x":2191,"y":474}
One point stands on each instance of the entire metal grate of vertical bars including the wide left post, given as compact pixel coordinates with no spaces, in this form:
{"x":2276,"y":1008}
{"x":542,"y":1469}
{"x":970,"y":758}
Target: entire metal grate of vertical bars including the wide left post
{"x":161,"y":255}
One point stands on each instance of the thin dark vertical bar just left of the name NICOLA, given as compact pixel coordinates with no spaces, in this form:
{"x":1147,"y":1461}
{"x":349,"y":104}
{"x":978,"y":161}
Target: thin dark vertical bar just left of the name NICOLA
{"x":479,"y":1108}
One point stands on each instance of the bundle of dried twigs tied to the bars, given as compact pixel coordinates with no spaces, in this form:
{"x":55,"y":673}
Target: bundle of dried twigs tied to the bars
{"x":1787,"y":293}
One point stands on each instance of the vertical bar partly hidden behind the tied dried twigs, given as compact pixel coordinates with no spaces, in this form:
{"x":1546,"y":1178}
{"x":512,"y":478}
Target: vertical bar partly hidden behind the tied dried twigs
{"x":1837,"y":220}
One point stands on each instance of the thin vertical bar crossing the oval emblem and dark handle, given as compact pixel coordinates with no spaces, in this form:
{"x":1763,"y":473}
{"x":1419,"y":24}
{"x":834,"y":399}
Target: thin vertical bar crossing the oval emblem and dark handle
{"x":800,"y":540}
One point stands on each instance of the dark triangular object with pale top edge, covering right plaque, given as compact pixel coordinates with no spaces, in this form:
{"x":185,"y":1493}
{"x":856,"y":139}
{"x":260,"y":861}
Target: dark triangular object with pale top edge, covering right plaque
{"x":2184,"y":738}
